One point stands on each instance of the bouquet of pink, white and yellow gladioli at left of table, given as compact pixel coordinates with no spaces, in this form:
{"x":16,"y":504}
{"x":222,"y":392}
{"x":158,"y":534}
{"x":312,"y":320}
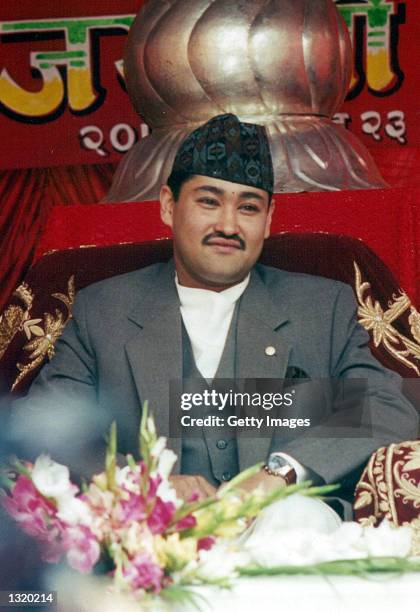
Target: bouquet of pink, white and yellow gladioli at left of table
{"x":130,"y":517}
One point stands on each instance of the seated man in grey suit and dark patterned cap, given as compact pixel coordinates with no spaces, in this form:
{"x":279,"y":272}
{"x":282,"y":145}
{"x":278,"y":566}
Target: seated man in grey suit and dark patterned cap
{"x":212,"y":312}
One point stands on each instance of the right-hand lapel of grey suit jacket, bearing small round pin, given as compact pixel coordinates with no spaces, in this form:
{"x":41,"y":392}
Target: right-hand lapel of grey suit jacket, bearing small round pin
{"x":260,"y":324}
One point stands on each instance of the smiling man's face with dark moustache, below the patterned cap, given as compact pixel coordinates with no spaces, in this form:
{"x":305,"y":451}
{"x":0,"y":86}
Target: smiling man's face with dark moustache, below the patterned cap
{"x":219,"y":230}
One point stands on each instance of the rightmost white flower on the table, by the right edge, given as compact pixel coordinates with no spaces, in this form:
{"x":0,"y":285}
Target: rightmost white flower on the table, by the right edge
{"x":388,"y":541}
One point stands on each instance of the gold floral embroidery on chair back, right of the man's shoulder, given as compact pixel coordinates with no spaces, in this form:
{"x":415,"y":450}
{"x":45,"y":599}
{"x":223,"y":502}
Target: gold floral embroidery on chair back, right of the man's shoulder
{"x":375,"y":319}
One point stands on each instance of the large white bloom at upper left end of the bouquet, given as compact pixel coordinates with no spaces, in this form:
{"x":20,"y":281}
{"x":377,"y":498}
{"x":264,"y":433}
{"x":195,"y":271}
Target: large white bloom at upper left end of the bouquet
{"x":52,"y":479}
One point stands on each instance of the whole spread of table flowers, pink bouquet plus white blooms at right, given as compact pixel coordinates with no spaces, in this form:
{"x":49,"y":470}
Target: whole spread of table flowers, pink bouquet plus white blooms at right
{"x":130,"y":520}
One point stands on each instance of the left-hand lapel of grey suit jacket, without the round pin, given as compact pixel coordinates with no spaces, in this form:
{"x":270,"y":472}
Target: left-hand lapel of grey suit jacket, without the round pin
{"x":155,"y":350}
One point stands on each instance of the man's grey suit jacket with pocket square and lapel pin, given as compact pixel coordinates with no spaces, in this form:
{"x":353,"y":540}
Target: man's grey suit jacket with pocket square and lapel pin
{"x":123,"y":345}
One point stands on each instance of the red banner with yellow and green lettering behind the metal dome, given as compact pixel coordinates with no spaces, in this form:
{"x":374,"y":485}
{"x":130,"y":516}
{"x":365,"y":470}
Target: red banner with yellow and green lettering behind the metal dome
{"x":62,"y":94}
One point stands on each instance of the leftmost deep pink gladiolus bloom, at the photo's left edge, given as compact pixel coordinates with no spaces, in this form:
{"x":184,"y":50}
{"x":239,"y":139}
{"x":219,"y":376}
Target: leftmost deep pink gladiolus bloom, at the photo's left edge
{"x":30,"y":509}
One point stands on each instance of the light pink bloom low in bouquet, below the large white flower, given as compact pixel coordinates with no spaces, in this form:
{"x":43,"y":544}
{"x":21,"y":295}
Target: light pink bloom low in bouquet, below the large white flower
{"x":83,"y":550}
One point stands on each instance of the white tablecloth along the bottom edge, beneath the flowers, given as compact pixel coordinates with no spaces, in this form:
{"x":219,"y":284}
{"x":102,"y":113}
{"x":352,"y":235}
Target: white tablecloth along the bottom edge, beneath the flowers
{"x":384,"y":593}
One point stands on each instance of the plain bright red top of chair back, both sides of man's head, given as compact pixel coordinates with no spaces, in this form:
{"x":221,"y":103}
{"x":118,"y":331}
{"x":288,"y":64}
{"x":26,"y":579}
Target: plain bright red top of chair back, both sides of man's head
{"x":385,"y":219}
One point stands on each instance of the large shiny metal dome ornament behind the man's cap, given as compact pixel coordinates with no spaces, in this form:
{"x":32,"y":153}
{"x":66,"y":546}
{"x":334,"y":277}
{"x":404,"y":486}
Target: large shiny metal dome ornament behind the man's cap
{"x":284,"y":64}
